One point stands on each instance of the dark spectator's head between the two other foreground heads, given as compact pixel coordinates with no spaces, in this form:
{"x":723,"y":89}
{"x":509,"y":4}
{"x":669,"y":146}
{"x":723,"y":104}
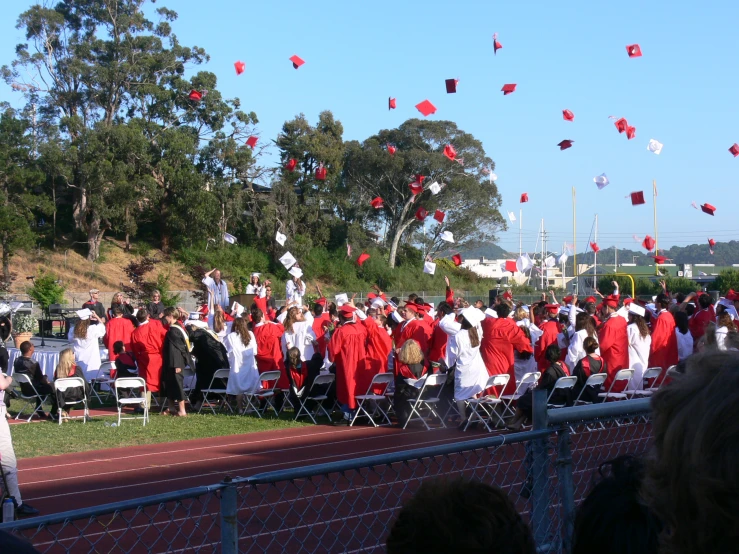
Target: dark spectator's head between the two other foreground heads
{"x":613,"y":518}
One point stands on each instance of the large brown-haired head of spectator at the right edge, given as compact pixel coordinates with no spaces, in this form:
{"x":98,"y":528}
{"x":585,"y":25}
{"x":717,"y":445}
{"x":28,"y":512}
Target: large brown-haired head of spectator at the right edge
{"x":692,"y":482}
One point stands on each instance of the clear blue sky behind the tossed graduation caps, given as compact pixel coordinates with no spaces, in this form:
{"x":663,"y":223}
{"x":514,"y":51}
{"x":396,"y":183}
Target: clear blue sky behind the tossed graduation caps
{"x":571,"y":55}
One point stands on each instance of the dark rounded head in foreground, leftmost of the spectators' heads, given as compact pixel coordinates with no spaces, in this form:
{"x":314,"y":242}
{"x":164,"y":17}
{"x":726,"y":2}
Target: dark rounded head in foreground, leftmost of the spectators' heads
{"x":460,"y":517}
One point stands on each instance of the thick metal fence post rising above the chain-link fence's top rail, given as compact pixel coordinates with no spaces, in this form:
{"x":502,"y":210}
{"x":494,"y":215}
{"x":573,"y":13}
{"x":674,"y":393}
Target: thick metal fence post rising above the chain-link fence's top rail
{"x":539,"y":474}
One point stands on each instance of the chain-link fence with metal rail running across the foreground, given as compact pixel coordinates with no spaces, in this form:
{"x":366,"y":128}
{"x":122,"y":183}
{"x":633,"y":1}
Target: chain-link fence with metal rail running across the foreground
{"x":350,"y":506}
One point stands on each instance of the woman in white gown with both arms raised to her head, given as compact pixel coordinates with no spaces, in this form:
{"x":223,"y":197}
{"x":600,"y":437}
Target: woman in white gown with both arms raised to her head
{"x":463,"y":353}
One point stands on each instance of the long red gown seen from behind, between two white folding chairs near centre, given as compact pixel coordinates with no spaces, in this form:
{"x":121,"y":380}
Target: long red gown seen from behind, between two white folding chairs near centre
{"x":348,"y":349}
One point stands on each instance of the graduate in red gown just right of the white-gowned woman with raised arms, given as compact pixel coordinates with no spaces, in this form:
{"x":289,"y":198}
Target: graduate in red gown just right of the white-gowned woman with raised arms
{"x":500,"y":337}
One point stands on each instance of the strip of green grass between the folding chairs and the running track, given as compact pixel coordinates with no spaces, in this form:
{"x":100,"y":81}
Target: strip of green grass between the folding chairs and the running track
{"x":47,"y":438}
